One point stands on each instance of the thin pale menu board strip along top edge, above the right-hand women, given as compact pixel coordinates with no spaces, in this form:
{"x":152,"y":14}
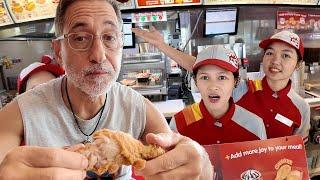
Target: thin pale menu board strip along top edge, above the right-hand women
{"x":293,"y":2}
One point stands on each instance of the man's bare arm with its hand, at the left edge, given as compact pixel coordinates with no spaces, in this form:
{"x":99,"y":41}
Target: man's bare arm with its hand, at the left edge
{"x":30,"y":162}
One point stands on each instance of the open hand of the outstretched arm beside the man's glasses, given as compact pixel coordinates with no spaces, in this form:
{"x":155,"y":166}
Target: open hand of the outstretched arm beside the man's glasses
{"x":152,"y":36}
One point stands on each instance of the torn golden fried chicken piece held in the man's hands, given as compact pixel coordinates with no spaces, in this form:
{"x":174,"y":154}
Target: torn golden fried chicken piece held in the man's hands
{"x":111,"y":149}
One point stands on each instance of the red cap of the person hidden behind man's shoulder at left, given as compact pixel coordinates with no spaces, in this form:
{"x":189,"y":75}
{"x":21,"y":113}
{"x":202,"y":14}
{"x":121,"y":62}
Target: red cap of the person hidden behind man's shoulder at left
{"x":37,"y":67}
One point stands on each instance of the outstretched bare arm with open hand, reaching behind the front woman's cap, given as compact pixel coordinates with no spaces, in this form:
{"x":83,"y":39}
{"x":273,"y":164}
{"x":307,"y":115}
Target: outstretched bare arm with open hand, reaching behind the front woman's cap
{"x":154,"y":37}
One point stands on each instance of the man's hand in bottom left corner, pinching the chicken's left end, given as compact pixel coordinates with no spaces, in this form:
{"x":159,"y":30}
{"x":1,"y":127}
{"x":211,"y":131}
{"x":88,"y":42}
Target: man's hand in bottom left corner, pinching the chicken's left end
{"x":27,"y":162}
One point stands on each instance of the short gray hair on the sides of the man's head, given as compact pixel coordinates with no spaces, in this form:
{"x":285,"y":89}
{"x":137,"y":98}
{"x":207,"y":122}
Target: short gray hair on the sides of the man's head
{"x":62,"y":9}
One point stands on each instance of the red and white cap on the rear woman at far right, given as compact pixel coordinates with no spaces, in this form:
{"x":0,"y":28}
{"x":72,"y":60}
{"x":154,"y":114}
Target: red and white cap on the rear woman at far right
{"x":287,"y":37}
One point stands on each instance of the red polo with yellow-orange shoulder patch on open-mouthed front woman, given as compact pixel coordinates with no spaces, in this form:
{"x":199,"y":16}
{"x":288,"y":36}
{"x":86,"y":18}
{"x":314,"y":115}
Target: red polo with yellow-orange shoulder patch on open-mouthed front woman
{"x":236,"y":125}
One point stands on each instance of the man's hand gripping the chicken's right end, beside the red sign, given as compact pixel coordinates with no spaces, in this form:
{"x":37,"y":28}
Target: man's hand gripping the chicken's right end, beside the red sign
{"x":185,"y":159}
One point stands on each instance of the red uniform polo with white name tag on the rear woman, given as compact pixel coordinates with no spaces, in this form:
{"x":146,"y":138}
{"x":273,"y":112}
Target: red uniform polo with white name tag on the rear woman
{"x":284,"y":112}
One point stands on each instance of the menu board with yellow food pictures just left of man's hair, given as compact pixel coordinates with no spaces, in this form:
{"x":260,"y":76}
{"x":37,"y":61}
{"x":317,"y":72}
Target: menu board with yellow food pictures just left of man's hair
{"x":29,"y":10}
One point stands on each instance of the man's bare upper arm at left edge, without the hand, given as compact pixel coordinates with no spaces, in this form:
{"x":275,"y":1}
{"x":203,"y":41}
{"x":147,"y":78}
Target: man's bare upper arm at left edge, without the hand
{"x":11,"y":129}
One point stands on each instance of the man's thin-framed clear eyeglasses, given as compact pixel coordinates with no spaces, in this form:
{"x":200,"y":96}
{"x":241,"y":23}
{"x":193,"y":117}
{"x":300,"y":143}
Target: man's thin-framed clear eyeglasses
{"x":82,"y":41}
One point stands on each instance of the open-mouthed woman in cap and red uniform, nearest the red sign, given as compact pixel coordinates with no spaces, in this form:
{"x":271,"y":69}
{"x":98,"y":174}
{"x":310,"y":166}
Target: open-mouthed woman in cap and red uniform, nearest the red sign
{"x":216,"y":119}
